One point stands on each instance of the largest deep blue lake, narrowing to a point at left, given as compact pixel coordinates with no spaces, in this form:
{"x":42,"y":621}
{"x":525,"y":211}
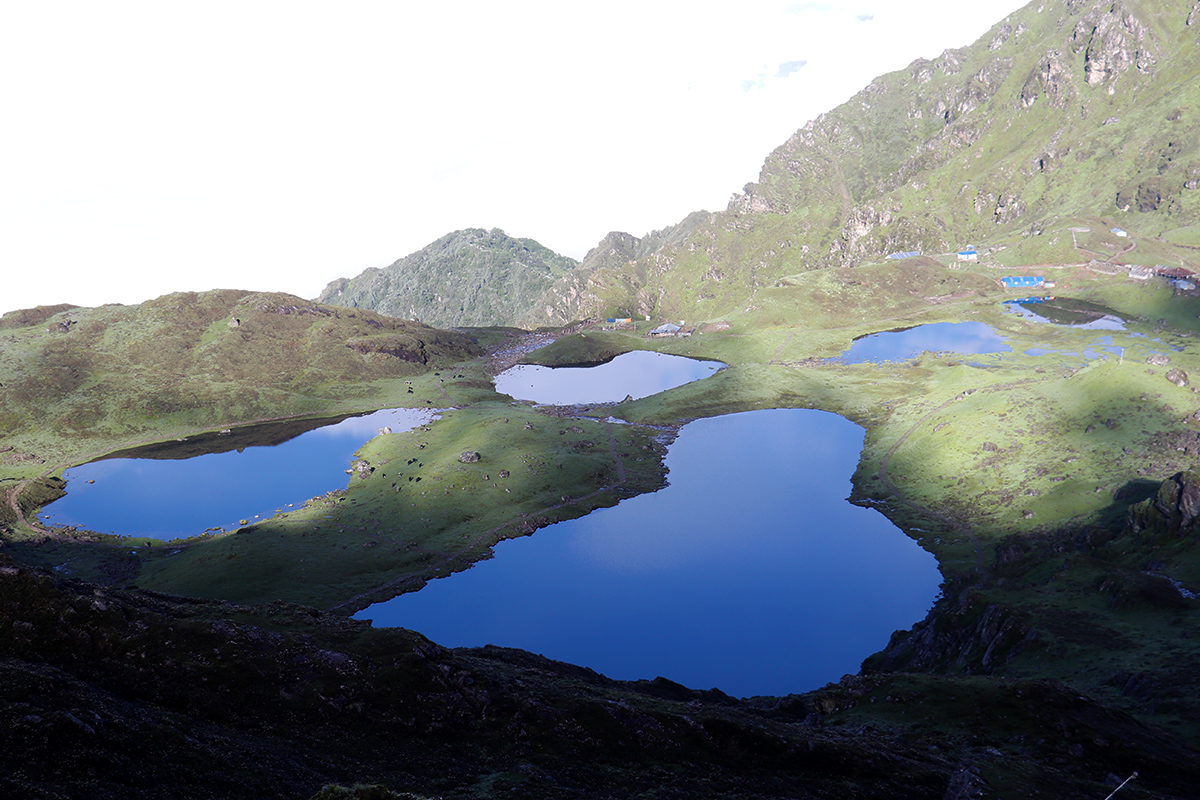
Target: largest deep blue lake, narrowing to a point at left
{"x":751,"y":573}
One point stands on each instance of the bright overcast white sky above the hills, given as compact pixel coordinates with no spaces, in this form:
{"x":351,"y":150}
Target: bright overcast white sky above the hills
{"x":277,"y":146}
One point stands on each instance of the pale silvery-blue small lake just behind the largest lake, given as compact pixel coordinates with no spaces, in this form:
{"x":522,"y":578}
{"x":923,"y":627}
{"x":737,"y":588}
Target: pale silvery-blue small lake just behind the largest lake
{"x":638,"y":374}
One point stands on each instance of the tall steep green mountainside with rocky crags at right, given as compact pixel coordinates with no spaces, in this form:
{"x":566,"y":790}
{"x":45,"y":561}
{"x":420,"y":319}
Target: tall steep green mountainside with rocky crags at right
{"x":1069,"y":118}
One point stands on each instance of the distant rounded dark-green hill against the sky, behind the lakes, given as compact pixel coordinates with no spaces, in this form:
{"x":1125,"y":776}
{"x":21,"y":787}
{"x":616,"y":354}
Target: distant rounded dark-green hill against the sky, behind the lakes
{"x":470,"y":278}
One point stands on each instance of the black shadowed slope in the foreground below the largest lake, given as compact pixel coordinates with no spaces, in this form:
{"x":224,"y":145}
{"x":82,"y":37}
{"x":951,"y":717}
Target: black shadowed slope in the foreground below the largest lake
{"x":111,"y":694}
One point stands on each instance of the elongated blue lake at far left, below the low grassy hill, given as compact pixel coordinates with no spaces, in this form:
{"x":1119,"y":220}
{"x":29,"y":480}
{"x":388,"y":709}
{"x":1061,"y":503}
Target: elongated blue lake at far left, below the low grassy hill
{"x":167,"y":496}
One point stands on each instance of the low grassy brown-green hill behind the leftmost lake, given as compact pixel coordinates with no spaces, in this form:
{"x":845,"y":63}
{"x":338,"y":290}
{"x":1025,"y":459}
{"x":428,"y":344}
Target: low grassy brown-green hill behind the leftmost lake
{"x":103,"y":377}
